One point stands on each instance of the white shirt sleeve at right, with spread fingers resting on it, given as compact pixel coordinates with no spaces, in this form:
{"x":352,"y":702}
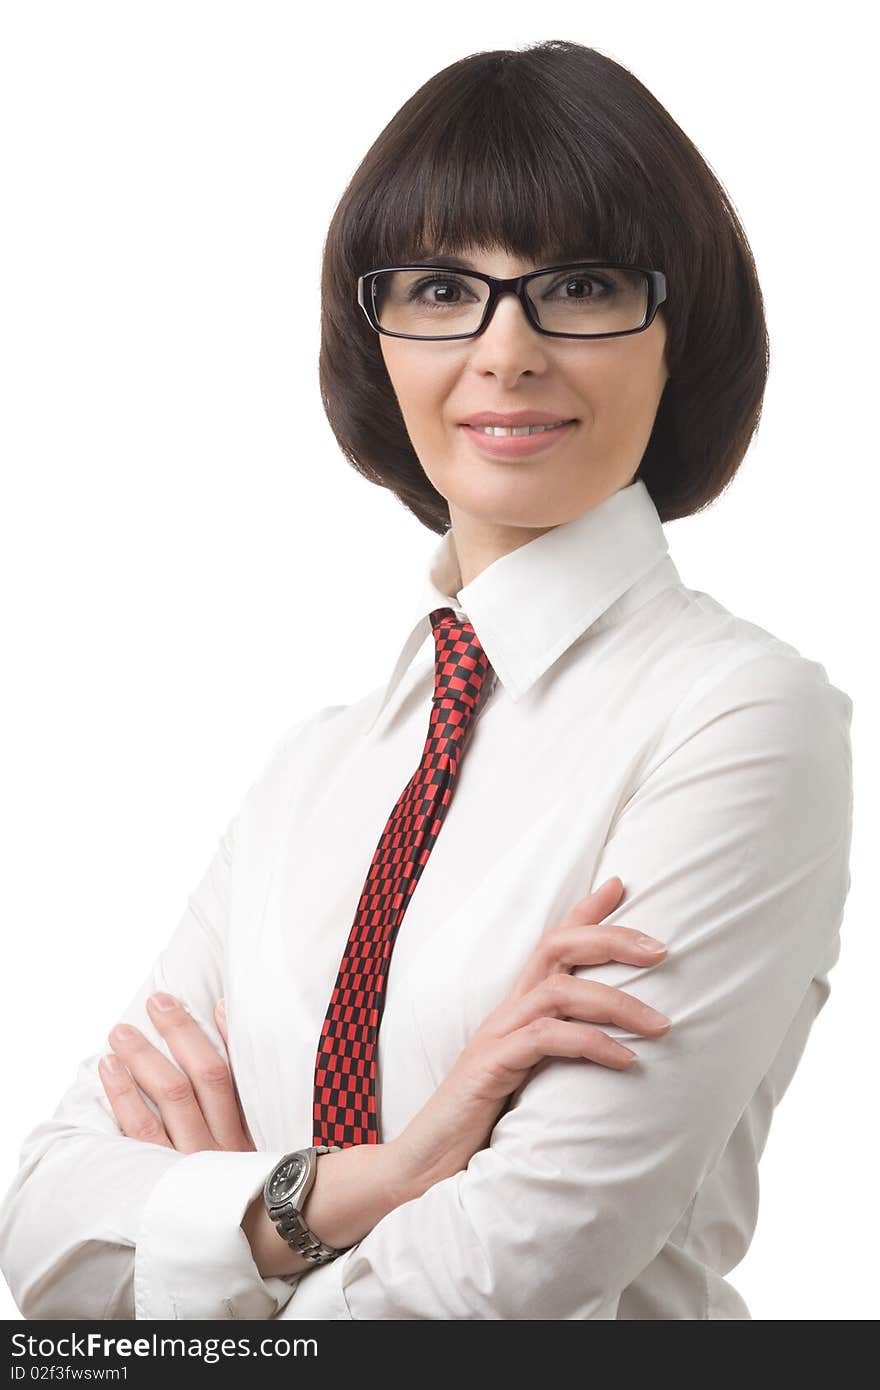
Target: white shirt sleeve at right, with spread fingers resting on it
{"x":733,"y":850}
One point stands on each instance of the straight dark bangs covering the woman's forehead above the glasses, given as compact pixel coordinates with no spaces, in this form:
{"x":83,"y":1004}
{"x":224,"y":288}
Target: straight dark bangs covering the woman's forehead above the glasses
{"x":507,"y":167}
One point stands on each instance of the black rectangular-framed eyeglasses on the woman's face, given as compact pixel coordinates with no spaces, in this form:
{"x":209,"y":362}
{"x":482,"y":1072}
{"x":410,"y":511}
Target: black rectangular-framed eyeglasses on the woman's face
{"x":578,"y":300}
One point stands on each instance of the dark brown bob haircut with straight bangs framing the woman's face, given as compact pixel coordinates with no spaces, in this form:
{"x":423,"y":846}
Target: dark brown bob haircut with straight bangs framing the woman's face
{"x":547,"y":151}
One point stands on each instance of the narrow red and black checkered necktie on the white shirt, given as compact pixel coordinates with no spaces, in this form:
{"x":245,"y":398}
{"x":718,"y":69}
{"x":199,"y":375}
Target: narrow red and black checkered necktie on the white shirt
{"x":345,"y":1110}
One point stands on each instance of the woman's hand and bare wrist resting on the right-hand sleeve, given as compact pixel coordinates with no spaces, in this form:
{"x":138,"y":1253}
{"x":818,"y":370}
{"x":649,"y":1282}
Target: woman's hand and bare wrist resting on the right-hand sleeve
{"x":532,"y":1024}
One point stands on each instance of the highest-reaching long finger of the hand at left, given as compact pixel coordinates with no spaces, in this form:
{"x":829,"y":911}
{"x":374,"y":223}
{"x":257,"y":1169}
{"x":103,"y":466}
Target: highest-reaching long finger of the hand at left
{"x":206,"y":1070}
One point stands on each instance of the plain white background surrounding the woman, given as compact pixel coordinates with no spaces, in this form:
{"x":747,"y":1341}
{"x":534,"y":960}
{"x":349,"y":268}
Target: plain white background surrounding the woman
{"x":188,"y":564}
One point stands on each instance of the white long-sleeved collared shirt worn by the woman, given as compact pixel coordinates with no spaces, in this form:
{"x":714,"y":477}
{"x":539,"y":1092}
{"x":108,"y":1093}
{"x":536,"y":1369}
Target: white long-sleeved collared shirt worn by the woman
{"x":635,"y":728}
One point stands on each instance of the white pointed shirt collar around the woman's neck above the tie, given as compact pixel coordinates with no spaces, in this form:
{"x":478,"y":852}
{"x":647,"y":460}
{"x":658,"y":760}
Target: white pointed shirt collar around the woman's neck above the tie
{"x":529,"y":607}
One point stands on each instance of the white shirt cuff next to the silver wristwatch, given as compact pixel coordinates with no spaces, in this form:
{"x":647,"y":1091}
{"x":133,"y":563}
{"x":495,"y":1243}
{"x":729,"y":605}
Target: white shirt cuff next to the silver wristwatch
{"x":193,"y":1259}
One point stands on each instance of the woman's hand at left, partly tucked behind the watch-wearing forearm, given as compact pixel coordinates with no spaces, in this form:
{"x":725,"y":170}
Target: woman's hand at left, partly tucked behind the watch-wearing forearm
{"x":199,"y":1106}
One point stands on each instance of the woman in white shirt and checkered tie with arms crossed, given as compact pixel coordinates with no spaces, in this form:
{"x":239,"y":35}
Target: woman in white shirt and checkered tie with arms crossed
{"x":532,"y":243}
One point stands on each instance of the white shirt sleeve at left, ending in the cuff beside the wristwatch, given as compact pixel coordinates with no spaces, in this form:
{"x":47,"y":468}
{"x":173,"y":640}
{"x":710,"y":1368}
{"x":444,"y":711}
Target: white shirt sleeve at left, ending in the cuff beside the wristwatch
{"x":98,"y":1225}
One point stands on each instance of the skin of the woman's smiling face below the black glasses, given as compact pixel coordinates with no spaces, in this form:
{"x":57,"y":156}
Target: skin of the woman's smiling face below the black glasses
{"x":611,"y":387}
